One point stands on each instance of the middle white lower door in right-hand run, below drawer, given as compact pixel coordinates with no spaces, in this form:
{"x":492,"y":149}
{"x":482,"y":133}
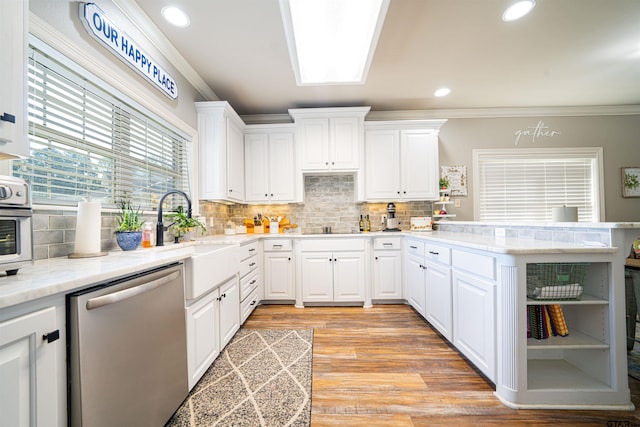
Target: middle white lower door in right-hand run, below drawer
{"x":439,"y":299}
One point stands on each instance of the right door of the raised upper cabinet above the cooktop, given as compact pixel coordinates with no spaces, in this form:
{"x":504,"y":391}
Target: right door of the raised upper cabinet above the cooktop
{"x":343,"y":143}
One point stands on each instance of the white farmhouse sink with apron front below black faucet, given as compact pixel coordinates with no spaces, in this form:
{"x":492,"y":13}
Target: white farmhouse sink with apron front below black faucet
{"x":209,"y":266}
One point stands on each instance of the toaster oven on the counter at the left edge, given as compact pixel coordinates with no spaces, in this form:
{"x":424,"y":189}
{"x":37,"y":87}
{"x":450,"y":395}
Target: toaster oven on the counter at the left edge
{"x":16,"y":248}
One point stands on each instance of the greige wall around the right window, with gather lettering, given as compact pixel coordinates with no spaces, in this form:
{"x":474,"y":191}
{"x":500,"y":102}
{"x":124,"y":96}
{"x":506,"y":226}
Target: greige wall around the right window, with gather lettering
{"x":618,"y":135}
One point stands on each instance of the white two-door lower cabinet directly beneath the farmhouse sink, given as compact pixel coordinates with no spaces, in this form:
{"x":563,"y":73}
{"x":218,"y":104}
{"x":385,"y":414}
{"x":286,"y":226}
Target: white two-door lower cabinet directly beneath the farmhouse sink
{"x":211,"y":323}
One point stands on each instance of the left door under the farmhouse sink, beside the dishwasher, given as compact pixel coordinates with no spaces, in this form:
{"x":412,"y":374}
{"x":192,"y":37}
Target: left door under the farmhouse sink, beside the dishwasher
{"x":202,"y":336}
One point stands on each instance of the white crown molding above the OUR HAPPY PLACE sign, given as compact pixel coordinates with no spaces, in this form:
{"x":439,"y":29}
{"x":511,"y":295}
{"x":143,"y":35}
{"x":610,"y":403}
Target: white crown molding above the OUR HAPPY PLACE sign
{"x":140,"y":20}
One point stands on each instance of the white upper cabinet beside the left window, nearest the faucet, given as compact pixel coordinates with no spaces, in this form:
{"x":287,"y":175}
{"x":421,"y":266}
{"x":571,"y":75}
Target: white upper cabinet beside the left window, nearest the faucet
{"x":220,"y":152}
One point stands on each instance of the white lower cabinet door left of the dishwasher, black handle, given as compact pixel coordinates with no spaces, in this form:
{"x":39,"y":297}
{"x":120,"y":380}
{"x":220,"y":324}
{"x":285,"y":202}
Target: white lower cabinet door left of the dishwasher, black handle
{"x":29,"y":383}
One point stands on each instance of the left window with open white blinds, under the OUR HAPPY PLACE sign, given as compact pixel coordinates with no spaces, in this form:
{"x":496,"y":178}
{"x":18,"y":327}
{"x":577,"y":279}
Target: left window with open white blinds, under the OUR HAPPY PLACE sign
{"x":89,"y":141}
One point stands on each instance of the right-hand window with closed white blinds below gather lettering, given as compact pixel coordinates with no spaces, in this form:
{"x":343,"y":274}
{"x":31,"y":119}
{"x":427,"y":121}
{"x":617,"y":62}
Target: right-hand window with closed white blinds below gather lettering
{"x":525,"y":184}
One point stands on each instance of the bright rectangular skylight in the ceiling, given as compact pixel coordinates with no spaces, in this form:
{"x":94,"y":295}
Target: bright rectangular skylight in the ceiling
{"x":332,"y":41}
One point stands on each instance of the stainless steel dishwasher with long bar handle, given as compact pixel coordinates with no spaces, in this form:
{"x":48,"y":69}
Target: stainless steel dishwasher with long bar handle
{"x":127,"y":351}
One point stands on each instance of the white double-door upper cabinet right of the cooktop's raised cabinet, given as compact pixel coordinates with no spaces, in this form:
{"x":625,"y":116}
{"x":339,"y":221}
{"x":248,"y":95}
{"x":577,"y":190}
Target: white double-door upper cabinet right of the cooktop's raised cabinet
{"x":402,"y":160}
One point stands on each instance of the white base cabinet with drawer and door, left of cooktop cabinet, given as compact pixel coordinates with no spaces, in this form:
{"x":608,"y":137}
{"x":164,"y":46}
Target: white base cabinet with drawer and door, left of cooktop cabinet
{"x":278,"y":270}
